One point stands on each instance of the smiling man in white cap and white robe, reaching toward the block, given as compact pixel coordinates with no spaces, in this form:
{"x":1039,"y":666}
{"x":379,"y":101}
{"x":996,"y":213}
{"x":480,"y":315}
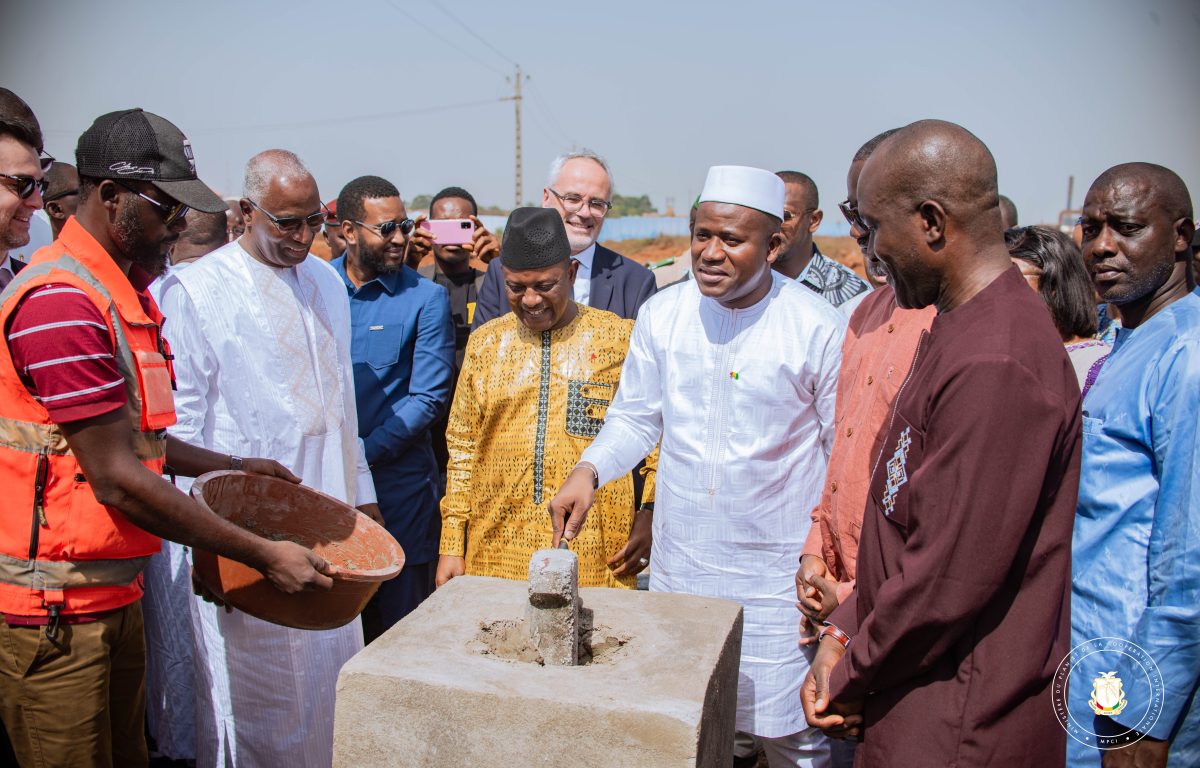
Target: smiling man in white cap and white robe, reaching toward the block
{"x":737,"y":373}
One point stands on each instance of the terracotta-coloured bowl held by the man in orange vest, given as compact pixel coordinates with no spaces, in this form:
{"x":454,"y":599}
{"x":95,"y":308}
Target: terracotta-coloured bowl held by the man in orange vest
{"x":362,"y":553}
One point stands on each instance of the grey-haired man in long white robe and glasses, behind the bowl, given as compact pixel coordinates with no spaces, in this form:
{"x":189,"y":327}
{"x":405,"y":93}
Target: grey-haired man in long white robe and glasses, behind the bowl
{"x":262,"y":339}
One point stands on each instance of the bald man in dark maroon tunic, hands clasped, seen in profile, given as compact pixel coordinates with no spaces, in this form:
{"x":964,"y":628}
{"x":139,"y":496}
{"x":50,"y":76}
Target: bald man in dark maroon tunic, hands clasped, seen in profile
{"x":947,"y":649}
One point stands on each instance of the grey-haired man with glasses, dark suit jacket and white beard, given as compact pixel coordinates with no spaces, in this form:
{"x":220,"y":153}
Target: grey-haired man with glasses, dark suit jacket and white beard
{"x":580,"y":189}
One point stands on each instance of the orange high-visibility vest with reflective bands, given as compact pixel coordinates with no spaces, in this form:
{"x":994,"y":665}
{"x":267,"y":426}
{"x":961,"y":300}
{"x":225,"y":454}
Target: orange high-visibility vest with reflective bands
{"x":62,"y":551}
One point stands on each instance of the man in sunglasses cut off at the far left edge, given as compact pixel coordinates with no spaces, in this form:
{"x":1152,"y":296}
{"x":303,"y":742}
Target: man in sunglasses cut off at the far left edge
{"x":21,"y":179}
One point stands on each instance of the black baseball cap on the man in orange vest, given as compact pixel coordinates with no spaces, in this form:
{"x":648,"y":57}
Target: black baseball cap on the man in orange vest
{"x":139,"y":145}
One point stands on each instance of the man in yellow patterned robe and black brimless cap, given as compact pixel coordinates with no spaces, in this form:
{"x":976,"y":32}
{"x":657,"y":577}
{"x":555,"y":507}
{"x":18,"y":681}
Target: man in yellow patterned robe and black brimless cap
{"x":532,"y":395}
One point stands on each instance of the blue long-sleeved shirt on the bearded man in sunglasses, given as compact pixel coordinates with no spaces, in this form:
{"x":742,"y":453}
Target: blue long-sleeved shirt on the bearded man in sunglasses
{"x":403,"y":349}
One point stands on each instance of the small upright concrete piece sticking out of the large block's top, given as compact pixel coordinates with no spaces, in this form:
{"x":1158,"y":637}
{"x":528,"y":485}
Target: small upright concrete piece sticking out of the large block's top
{"x":554,"y":611}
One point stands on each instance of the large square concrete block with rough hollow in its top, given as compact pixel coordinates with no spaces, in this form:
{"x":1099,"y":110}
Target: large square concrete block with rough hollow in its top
{"x":657,"y":686}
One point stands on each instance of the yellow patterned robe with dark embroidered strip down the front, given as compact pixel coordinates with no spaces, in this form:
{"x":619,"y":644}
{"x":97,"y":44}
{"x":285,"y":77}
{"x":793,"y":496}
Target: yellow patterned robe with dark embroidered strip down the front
{"x":526,"y":407}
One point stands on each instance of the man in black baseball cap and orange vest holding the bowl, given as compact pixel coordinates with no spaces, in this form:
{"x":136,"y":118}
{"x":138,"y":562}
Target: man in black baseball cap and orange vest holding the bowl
{"x":86,"y":395}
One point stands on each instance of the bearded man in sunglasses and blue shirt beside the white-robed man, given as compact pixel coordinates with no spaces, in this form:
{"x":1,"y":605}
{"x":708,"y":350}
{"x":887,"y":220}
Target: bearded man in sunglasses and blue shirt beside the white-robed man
{"x":403,"y":347}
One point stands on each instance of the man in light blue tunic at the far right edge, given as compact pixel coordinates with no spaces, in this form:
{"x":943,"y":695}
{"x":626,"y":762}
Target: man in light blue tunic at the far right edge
{"x":1137,"y":541}
